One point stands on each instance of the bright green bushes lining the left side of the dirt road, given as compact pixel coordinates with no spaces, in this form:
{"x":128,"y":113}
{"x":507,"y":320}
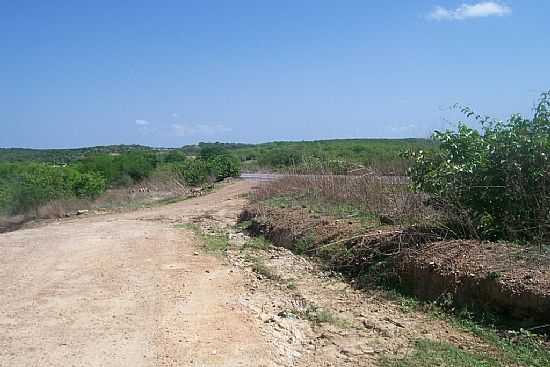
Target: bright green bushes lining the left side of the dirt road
{"x":25,"y":186}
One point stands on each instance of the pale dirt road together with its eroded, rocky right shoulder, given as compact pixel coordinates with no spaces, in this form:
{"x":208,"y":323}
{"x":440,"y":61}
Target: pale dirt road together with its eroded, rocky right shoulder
{"x":136,"y":289}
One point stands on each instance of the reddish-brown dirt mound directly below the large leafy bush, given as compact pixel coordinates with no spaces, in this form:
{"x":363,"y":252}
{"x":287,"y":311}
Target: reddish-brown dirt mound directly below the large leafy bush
{"x":498,"y":277}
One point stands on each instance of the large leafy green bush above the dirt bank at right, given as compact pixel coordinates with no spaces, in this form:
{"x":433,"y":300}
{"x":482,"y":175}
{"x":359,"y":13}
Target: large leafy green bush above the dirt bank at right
{"x":500,"y":175}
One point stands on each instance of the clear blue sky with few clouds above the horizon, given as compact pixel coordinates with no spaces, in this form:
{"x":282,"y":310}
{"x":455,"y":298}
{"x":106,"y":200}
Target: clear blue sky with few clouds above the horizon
{"x":169,"y":73}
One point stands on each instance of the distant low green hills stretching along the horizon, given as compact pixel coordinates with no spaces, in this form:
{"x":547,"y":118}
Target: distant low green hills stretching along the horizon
{"x":268,"y":155}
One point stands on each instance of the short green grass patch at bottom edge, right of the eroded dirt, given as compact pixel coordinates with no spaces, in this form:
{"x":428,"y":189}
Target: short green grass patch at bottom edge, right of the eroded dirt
{"x":432,"y":353}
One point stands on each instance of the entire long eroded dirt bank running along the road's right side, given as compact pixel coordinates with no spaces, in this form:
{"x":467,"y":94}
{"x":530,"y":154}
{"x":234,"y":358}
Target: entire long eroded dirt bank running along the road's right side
{"x":503,"y":278}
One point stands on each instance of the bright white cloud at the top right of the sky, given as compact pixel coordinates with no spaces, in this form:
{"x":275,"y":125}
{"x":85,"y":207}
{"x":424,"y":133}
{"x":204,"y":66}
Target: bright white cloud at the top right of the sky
{"x":466,"y":11}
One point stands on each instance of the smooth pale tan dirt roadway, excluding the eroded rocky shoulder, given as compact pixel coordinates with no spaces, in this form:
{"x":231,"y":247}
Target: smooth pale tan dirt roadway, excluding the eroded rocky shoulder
{"x":126,"y":290}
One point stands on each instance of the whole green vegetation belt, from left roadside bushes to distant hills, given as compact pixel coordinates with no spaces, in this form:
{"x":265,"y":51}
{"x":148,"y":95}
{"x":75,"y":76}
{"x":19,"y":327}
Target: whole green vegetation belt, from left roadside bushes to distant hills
{"x":32,"y":177}
